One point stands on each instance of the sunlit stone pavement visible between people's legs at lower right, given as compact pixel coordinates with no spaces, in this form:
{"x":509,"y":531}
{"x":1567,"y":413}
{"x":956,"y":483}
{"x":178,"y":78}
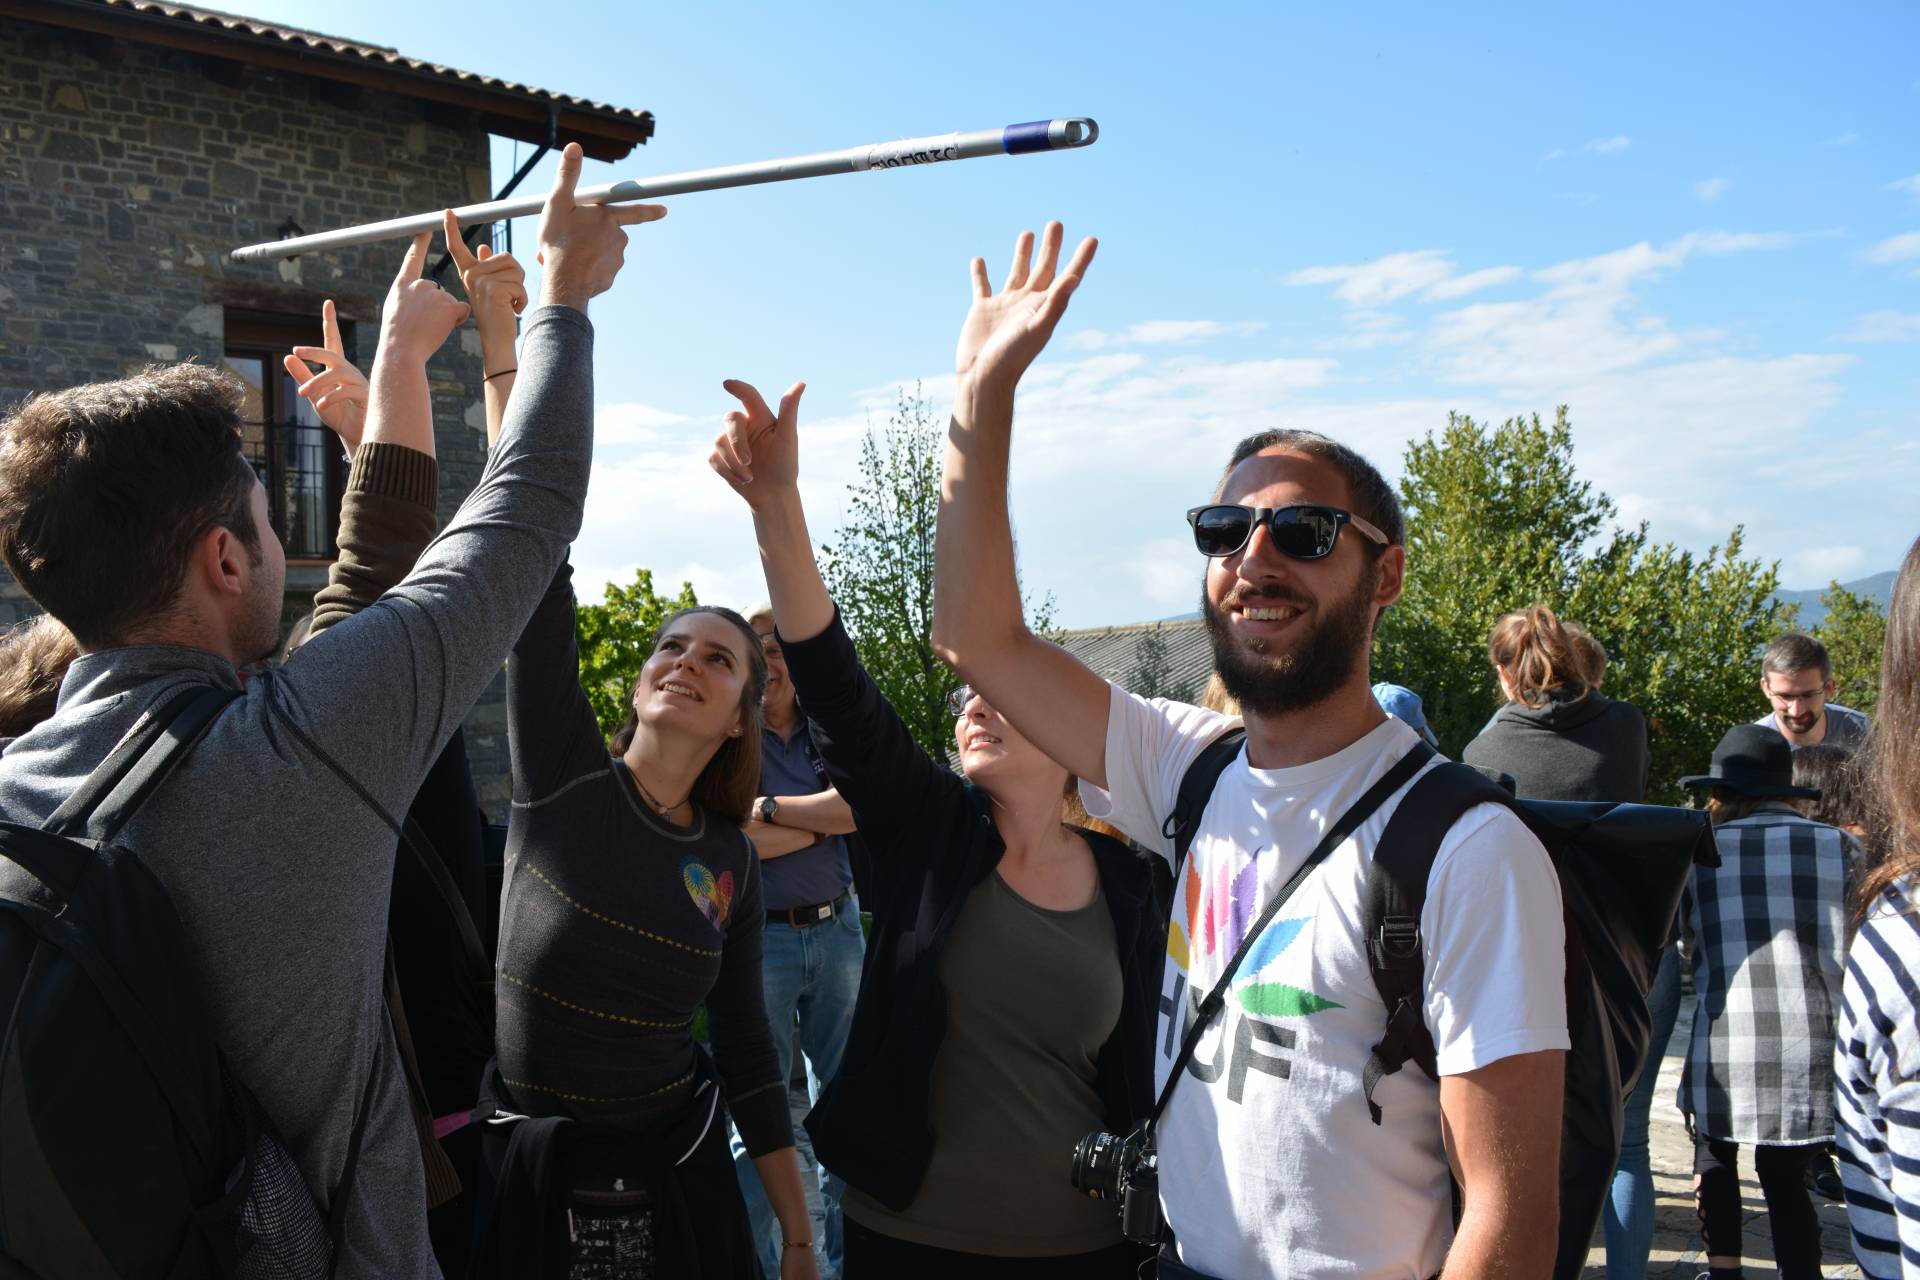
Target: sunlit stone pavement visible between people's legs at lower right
{"x":1677,"y":1250}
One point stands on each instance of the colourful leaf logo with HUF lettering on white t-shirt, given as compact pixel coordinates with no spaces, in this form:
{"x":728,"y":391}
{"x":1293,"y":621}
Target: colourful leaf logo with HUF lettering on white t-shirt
{"x":1218,"y":920}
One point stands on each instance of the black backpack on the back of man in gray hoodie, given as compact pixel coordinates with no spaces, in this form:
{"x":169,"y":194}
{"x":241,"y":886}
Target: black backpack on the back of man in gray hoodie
{"x":128,"y":1150}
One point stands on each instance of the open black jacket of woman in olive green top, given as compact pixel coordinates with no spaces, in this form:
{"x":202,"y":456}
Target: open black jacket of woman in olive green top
{"x":932,"y":840}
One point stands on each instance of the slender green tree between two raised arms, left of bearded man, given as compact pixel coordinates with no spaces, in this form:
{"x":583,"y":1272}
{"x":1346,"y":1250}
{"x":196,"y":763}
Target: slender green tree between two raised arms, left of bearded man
{"x":880,"y":569}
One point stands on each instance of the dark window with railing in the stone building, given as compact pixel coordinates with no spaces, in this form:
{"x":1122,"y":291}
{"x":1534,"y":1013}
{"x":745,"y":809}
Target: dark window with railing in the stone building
{"x":299,"y":462}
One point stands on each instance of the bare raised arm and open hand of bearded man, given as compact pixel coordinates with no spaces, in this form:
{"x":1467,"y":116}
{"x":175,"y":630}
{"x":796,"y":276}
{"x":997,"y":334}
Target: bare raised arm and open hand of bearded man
{"x":978,"y":625}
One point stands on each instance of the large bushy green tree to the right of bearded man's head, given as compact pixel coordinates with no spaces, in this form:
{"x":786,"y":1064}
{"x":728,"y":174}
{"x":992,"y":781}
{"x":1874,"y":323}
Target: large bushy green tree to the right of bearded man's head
{"x":1497,"y":521}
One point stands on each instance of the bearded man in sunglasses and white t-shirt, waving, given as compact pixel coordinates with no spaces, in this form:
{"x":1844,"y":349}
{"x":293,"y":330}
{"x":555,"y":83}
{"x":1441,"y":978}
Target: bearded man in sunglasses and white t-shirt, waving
{"x":1272,"y":1162}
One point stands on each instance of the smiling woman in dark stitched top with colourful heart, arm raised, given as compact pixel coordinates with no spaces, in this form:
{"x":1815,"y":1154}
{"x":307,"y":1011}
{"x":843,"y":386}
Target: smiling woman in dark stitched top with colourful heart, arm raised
{"x":633,"y":899}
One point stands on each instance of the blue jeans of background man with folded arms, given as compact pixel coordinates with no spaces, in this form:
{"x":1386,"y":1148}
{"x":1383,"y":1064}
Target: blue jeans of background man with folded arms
{"x":811,"y":978}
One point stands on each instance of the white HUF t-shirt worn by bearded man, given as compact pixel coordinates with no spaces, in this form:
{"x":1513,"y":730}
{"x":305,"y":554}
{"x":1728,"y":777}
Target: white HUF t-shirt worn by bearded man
{"x":1270,"y":1164}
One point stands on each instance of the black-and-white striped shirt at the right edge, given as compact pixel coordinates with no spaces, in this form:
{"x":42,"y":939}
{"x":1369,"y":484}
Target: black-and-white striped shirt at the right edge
{"x":1877,"y":1089}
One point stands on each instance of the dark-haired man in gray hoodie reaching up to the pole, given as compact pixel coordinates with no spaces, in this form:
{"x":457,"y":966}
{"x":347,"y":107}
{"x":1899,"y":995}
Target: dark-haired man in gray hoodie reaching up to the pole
{"x":130,"y":513}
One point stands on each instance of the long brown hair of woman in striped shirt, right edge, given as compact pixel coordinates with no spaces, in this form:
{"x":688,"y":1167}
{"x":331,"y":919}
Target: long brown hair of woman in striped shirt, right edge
{"x":1892,"y":769}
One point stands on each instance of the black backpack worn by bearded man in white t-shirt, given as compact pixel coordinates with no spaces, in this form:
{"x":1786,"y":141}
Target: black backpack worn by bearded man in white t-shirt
{"x":1621,"y":870}
